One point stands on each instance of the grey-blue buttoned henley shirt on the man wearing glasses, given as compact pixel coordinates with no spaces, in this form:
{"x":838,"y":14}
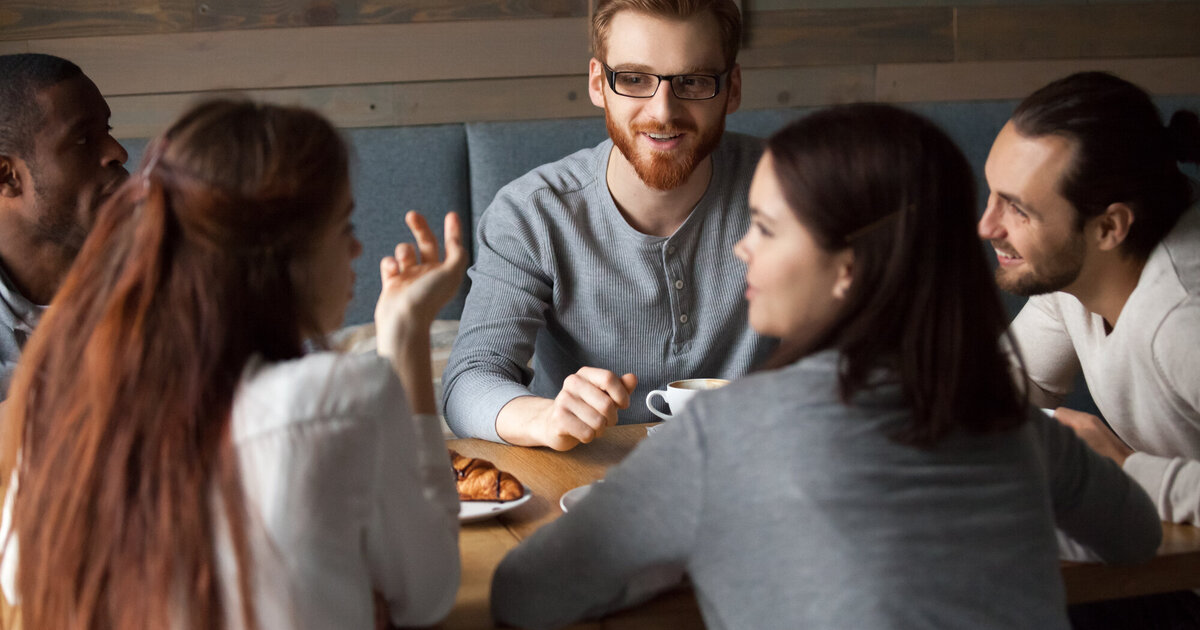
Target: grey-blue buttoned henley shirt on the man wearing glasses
{"x":561,"y":278}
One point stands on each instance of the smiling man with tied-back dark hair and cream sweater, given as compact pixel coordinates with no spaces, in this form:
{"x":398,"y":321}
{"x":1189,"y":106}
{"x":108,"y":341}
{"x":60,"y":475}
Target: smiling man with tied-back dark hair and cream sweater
{"x":1089,"y":213}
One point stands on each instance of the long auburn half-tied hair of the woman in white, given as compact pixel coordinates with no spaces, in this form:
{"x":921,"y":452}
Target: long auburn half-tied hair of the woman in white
{"x":122,"y":404}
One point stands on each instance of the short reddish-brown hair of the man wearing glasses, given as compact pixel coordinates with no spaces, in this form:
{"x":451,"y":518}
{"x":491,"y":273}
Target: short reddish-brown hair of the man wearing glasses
{"x":729,"y":21}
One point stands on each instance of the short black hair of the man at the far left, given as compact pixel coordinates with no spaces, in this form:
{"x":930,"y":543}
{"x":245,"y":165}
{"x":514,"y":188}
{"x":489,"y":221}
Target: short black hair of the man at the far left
{"x":21,"y":77}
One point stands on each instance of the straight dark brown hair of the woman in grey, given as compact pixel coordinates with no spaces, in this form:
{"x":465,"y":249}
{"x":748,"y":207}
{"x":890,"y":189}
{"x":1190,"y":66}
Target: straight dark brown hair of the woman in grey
{"x":922,"y":304}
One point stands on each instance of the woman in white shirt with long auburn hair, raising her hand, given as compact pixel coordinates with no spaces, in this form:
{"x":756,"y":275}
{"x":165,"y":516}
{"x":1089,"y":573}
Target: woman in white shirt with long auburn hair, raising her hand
{"x":182,"y":460}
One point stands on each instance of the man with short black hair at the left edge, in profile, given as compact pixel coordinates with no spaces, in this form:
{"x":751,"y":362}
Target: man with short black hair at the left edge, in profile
{"x":58,"y":164}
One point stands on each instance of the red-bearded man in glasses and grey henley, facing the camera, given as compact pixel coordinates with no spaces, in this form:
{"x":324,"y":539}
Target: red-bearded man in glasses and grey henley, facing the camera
{"x":613,"y":269}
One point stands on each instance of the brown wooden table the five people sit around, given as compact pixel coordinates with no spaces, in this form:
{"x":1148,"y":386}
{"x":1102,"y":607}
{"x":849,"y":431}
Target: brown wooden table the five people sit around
{"x":549,"y":475}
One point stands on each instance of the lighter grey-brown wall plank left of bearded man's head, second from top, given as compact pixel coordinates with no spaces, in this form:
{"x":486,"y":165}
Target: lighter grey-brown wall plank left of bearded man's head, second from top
{"x":332,"y":56}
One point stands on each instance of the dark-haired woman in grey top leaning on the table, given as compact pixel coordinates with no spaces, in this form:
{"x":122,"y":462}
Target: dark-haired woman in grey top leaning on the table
{"x":884,"y":471}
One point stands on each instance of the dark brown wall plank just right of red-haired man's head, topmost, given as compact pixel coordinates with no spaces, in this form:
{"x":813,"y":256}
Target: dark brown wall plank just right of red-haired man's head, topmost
{"x":849,"y":37}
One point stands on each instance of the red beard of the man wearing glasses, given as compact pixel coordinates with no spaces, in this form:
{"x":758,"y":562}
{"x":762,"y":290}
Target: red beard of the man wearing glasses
{"x":658,"y":170}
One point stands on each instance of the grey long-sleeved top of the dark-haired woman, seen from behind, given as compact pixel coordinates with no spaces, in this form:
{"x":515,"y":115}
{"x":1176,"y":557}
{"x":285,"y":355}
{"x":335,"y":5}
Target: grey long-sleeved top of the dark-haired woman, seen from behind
{"x":789,"y":509}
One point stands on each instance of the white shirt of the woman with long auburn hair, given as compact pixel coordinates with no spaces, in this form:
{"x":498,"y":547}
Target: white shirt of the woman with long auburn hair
{"x":347,"y":495}
